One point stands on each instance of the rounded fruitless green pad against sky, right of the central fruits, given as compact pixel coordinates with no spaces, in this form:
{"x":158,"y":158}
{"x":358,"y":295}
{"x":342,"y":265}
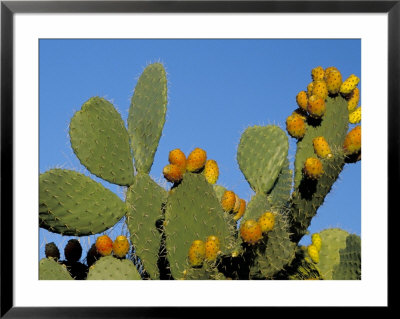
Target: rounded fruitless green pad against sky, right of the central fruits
{"x":261,"y":155}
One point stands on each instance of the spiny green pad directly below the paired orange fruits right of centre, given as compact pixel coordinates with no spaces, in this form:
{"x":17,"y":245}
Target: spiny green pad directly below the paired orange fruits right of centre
{"x":278,"y":251}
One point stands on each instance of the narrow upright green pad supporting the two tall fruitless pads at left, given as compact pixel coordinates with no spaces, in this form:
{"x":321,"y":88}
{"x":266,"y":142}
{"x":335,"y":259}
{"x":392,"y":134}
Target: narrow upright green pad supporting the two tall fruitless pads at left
{"x":145,"y":199}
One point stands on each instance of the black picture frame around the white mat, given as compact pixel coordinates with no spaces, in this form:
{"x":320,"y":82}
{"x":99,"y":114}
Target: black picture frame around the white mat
{"x":9,"y":8}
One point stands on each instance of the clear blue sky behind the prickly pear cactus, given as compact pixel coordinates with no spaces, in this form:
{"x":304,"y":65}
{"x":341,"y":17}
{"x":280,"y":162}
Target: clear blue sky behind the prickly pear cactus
{"x":216,"y":88}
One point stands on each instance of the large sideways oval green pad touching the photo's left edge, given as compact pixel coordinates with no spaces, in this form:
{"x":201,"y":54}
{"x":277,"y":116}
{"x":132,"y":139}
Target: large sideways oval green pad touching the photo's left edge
{"x":73,"y":204}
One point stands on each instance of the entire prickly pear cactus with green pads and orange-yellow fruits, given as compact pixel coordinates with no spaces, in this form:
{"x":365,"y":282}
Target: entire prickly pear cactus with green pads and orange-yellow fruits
{"x":198,"y":229}
